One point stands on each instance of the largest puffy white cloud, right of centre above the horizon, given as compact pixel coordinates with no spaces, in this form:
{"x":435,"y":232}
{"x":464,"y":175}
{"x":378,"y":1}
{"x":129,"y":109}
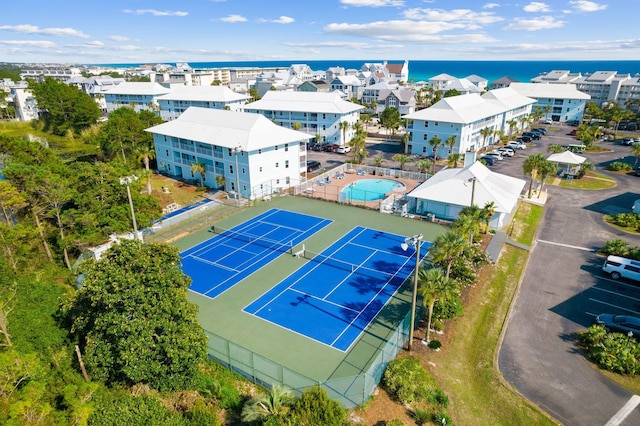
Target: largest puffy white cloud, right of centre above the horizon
{"x":409,"y":31}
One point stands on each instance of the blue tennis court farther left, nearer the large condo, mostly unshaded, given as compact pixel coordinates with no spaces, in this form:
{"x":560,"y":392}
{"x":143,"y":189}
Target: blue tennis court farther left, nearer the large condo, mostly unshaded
{"x":222,"y":261}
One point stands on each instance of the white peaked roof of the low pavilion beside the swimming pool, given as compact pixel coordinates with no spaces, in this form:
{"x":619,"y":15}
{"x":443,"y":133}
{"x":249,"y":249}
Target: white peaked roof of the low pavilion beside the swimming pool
{"x":456,"y":186}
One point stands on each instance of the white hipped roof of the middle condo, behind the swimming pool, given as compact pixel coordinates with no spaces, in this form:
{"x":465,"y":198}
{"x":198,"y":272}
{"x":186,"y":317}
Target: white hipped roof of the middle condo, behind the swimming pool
{"x":313,"y":102}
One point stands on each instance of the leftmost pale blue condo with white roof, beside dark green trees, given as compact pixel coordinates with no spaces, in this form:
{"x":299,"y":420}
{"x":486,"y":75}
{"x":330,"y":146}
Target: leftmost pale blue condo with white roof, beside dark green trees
{"x":139,"y":95}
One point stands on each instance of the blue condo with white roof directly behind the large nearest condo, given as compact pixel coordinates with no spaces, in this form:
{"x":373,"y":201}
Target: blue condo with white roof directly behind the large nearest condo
{"x":182,"y":97}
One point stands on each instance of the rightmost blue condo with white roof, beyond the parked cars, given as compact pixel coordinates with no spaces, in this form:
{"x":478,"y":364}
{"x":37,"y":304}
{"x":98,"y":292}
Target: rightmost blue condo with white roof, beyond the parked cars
{"x":558,"y":102}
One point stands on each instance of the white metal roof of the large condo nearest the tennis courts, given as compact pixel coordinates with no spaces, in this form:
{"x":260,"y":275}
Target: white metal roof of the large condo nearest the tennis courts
{"x":229,"y":129}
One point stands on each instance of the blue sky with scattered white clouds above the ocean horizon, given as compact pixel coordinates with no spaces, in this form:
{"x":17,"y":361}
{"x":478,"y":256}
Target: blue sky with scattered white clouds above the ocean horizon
{"x":150,"y":31}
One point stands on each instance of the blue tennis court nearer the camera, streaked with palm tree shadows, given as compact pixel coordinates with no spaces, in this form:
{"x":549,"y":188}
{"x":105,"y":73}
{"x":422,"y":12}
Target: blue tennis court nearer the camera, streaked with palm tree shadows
{"x":333,"y":297}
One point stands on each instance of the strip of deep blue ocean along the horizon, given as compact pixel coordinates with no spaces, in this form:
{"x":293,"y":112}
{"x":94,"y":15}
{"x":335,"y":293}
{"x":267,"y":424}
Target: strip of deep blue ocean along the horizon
{"x":522,"y":71}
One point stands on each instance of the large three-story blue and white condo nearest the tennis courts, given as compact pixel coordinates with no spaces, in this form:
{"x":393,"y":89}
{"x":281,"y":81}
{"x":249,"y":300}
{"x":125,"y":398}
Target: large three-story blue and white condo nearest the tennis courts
{"x":241,"y":152}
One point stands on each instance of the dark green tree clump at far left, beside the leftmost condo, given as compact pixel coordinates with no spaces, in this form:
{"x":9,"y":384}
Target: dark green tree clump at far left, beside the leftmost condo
{"x":65,"y":107}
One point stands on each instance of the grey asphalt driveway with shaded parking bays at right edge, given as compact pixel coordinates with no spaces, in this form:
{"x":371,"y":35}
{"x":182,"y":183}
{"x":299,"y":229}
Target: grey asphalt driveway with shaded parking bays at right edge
{"x":561,"y":291}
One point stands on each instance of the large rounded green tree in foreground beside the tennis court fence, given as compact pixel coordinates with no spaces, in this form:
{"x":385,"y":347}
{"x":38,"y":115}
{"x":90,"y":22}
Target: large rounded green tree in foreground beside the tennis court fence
{"x":133,"y":321}
